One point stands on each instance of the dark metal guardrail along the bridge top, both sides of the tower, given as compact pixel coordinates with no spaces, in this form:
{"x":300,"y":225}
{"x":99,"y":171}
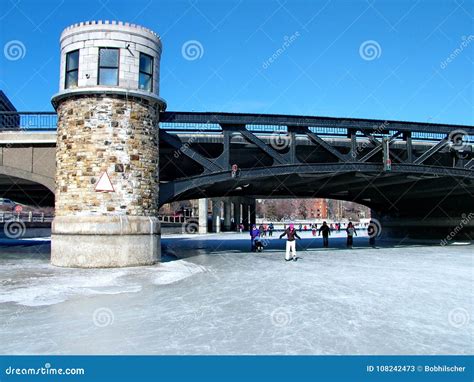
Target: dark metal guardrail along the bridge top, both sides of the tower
{"x":266,"y":123}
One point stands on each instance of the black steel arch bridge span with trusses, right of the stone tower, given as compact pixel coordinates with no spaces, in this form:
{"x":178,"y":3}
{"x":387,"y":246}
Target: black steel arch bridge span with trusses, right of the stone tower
{"x":330,"y":157}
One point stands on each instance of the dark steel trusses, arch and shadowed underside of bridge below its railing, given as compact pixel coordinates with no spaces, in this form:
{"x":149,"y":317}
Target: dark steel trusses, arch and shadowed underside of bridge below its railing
{"x":428,"y":189}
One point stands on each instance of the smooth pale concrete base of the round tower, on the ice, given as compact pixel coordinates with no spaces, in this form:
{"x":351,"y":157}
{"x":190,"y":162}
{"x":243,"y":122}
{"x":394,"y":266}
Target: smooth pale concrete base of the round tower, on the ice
{"x":105,"y":241}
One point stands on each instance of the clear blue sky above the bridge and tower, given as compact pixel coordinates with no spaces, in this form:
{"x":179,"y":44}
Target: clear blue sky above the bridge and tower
{"x":321,"y":72}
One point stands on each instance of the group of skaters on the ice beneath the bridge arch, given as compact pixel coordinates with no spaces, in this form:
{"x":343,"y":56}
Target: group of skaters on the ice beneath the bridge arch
{"x":291,"y":235}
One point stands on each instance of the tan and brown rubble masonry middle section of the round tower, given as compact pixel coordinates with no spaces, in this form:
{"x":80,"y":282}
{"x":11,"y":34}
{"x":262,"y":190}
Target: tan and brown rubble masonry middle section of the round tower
{"x":100,"y":133}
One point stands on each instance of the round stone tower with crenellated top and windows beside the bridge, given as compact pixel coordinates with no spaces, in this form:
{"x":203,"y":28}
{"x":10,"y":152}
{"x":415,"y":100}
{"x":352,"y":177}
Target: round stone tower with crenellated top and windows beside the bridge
{"x":107,"y":147}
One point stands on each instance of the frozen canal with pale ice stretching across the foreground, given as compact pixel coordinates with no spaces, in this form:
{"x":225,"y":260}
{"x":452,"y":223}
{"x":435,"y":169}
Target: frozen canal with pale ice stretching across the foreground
{"x":212,"y":296}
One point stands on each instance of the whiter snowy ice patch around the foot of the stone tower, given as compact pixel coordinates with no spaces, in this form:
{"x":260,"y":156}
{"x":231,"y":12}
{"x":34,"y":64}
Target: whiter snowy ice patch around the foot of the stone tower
{"x":36,"y":282}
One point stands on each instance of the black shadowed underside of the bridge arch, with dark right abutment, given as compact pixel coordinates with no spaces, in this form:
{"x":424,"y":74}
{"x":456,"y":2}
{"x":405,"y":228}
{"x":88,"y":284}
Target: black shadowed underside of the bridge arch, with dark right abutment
{"x":407,"y":205}
